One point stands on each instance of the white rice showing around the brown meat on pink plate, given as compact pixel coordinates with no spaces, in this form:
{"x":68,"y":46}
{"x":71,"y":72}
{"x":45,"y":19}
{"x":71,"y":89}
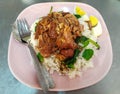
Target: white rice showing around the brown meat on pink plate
{"x":81,"y":64}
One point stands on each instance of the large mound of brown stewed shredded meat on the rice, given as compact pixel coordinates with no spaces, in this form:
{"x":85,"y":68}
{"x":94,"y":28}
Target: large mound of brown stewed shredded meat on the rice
{"x":56,"y":33}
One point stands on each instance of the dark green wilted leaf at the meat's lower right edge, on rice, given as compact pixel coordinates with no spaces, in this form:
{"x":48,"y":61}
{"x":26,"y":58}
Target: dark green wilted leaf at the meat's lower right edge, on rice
{"x":70,"y":61}
